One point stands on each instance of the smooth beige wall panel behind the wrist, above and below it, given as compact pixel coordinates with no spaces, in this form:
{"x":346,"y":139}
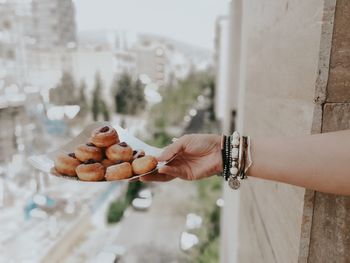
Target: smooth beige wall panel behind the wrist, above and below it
{"x":279,"y":62}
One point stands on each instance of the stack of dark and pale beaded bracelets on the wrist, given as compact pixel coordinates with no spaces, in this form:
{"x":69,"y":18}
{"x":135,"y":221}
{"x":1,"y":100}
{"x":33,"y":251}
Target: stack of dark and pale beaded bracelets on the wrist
{"x":236,"y":158}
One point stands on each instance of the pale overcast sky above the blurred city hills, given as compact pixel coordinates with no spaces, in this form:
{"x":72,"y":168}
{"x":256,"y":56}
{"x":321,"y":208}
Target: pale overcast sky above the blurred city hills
{"x":189,"y":21}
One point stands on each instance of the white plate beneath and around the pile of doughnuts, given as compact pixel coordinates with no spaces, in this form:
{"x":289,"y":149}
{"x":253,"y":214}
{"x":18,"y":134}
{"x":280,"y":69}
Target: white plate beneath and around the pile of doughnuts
{"x":45,"y":162}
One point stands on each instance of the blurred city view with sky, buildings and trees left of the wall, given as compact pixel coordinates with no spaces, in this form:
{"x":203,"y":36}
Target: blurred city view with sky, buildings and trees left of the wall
{"x":149,"y":66}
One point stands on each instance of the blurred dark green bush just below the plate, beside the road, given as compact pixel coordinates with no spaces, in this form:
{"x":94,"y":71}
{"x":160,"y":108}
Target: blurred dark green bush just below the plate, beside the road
{"x":117,"y":208}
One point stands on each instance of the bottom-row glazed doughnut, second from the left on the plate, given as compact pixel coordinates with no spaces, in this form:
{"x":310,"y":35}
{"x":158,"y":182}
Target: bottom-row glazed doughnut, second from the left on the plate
{"x":91,"y":171}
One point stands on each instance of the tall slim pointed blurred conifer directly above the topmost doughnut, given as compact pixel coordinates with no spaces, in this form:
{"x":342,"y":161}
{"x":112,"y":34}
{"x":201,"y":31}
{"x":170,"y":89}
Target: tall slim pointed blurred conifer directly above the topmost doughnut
{"x":99,"y":106}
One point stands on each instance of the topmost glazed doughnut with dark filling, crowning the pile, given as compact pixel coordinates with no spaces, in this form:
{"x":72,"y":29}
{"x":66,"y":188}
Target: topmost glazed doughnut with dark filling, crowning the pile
{"x":104,"y":137}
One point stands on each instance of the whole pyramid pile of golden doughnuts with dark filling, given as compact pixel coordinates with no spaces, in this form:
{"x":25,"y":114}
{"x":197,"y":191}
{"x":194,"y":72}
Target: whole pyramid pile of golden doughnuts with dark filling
{"x":104,"y":157}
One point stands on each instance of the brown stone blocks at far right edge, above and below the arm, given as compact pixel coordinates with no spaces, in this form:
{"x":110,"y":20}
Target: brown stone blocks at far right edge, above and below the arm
{"x":330,"y":228}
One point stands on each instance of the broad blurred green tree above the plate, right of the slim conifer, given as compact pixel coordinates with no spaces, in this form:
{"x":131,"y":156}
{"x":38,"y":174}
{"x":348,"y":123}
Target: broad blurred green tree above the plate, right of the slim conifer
{"x":128,"y":95}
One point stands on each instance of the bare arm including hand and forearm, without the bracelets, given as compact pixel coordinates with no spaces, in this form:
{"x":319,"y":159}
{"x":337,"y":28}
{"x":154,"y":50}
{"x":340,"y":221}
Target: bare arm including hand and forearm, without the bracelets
{"x":320,"y":162}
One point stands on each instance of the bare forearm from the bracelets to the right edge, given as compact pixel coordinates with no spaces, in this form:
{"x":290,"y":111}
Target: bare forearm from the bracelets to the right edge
{"x":320,"y":162}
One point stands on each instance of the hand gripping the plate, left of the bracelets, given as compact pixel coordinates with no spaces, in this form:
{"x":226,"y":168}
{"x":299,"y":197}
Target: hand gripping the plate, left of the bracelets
{"x":198,"y":156}
